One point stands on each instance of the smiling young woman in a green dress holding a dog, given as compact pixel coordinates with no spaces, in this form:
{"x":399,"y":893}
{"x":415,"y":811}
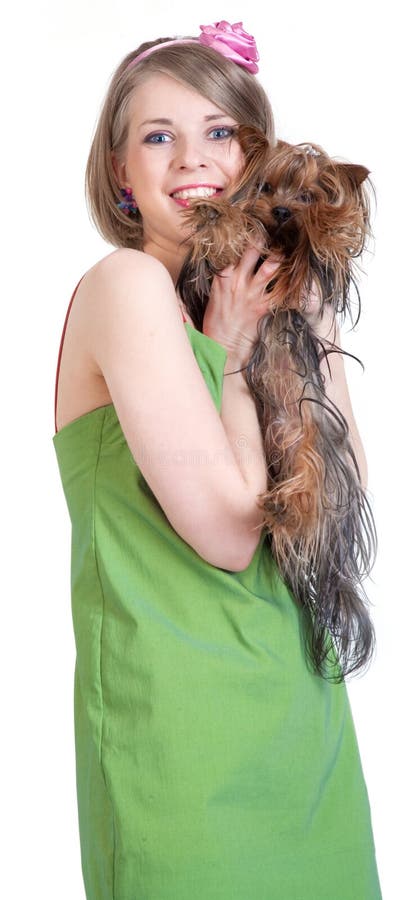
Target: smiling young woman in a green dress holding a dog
{"x":211,"y":761}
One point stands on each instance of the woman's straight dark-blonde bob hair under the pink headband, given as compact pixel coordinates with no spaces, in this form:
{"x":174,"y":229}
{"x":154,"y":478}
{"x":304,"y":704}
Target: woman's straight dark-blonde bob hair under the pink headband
{"x":204,"y":70}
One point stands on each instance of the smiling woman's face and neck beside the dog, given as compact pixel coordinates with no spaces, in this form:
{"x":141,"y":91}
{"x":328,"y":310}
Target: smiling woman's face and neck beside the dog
{"x":180,"y":145}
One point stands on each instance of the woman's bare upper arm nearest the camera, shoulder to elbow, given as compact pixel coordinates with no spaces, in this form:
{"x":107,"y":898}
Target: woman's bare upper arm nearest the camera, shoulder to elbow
{"x":137,"y":340}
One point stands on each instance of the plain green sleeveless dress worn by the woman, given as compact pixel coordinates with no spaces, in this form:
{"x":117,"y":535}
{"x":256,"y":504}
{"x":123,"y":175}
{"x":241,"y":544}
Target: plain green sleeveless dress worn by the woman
{"x":211,"y":763}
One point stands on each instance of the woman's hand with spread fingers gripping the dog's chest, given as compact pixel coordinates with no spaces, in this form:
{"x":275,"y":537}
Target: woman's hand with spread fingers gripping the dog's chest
{"x":237,"y":301}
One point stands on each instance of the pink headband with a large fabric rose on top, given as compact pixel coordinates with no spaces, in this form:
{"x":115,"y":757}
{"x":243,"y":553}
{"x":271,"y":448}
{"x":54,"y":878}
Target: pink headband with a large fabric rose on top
{"x":230,"y":40}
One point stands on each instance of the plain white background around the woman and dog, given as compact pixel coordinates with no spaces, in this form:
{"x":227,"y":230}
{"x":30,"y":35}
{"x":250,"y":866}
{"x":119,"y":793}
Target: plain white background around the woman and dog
{"x":339,"y":74}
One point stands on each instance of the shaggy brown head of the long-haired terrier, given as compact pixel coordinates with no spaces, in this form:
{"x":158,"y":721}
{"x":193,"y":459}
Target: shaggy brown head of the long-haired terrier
{"x":316,"y":213}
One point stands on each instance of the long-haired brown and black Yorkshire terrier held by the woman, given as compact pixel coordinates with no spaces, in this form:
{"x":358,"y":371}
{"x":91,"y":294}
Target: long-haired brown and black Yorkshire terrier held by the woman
{"x":312,"y":213}
